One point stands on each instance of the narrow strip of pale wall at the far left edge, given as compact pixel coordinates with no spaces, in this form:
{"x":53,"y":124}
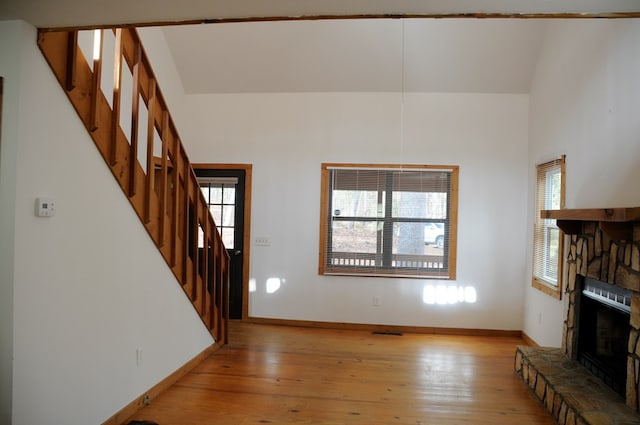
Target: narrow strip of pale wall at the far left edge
{"x":10,"y":33}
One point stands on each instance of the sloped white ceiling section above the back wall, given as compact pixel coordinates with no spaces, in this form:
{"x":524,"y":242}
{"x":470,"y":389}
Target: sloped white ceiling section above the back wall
{"x":427,"y":55}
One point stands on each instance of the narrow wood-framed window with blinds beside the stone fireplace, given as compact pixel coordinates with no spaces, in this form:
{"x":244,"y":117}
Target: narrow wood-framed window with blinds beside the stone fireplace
{"x":547,"y":237}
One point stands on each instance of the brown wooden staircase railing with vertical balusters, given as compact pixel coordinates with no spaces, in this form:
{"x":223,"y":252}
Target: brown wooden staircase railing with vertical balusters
{"x":135,"y":134}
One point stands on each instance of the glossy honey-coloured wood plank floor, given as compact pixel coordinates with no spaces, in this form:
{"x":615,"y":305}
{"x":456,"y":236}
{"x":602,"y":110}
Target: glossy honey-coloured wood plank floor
{"x":281,"y":375}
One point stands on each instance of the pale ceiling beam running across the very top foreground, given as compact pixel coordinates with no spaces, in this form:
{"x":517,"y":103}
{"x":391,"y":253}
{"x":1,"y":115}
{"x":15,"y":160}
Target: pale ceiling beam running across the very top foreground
{"x":112,"y":13}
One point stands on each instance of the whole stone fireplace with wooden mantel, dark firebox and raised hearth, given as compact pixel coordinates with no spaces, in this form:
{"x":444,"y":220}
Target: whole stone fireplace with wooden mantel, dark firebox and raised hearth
{"x":594,"y":377}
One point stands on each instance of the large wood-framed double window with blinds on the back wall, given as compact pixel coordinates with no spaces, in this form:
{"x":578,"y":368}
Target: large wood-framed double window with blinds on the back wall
{"x":389,"y":220}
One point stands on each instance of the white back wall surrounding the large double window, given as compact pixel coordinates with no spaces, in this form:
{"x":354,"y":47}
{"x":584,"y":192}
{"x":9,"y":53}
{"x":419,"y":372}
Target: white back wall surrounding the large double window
{"x":287,"y":136}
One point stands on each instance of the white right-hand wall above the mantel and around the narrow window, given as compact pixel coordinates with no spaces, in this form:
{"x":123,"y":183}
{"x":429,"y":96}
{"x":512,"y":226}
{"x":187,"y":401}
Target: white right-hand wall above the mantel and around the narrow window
{"x":584,"y":103}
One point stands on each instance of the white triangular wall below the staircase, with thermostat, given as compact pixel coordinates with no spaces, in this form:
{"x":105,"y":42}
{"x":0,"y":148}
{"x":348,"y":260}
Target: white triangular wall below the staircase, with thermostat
{"x":89,"y":286}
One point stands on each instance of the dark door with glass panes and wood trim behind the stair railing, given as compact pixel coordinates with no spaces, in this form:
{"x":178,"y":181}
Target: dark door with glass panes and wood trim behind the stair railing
{"x":224,"y":190}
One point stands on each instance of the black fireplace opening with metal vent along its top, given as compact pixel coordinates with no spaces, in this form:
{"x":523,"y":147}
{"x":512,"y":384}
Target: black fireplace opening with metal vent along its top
{"x":603,"y":332}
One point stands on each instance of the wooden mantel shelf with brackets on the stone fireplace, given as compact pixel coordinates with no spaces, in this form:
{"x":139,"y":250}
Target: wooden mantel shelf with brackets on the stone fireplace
{"x":615,"y":222}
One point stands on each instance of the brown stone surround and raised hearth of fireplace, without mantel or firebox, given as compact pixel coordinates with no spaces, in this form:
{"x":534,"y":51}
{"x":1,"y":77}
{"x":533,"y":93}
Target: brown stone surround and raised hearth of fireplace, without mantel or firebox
{"x":567,"y":390}
